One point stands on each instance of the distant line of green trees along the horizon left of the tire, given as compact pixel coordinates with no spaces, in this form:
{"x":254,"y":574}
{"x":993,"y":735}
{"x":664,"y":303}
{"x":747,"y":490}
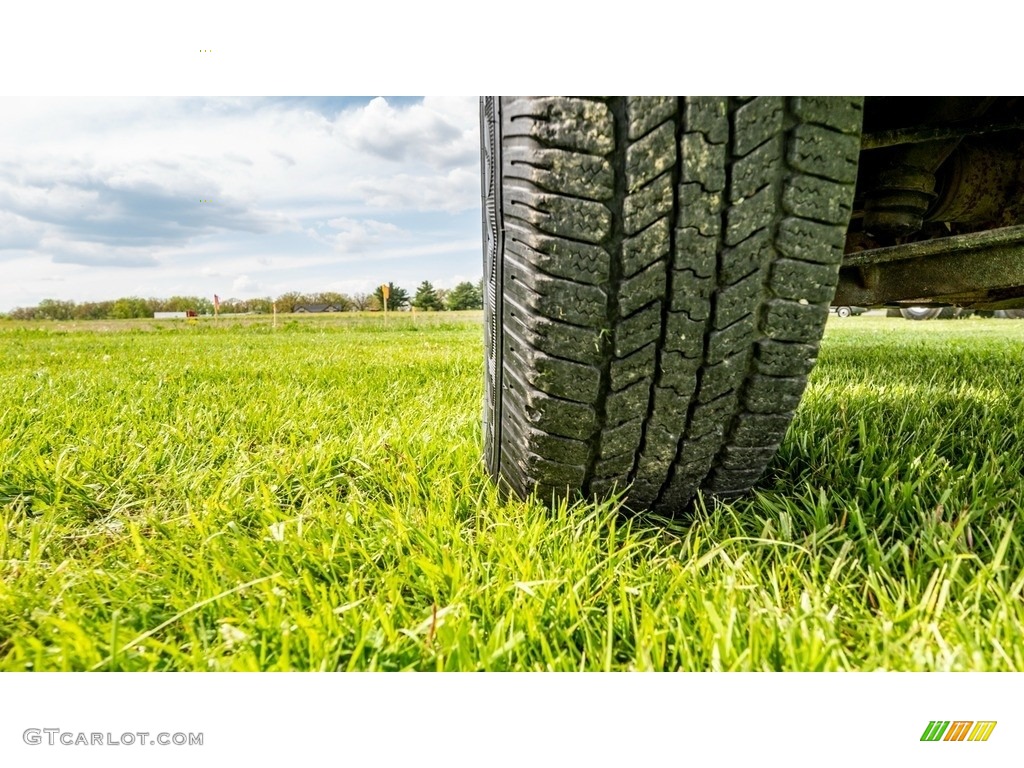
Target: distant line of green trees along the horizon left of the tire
{"x":428,"y":298}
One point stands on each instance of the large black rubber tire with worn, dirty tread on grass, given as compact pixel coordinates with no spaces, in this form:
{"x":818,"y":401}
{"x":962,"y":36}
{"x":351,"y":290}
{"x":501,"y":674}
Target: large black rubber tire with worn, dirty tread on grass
{"x":660,"y":272}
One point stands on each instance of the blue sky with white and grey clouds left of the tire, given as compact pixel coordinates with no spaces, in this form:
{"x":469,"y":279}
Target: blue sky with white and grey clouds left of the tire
{"x":103,"y":198}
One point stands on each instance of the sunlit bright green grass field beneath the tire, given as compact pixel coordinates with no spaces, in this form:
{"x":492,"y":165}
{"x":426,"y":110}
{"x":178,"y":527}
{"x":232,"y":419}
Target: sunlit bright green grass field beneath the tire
{"x":233,"y":497}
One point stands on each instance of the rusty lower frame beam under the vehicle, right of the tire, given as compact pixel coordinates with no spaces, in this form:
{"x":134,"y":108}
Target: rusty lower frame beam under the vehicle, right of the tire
{"x":985,"y":271}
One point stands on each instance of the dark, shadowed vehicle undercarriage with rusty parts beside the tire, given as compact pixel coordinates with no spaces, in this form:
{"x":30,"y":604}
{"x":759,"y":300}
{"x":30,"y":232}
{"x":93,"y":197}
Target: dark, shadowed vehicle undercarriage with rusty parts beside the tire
{"x":938,"y":212}
